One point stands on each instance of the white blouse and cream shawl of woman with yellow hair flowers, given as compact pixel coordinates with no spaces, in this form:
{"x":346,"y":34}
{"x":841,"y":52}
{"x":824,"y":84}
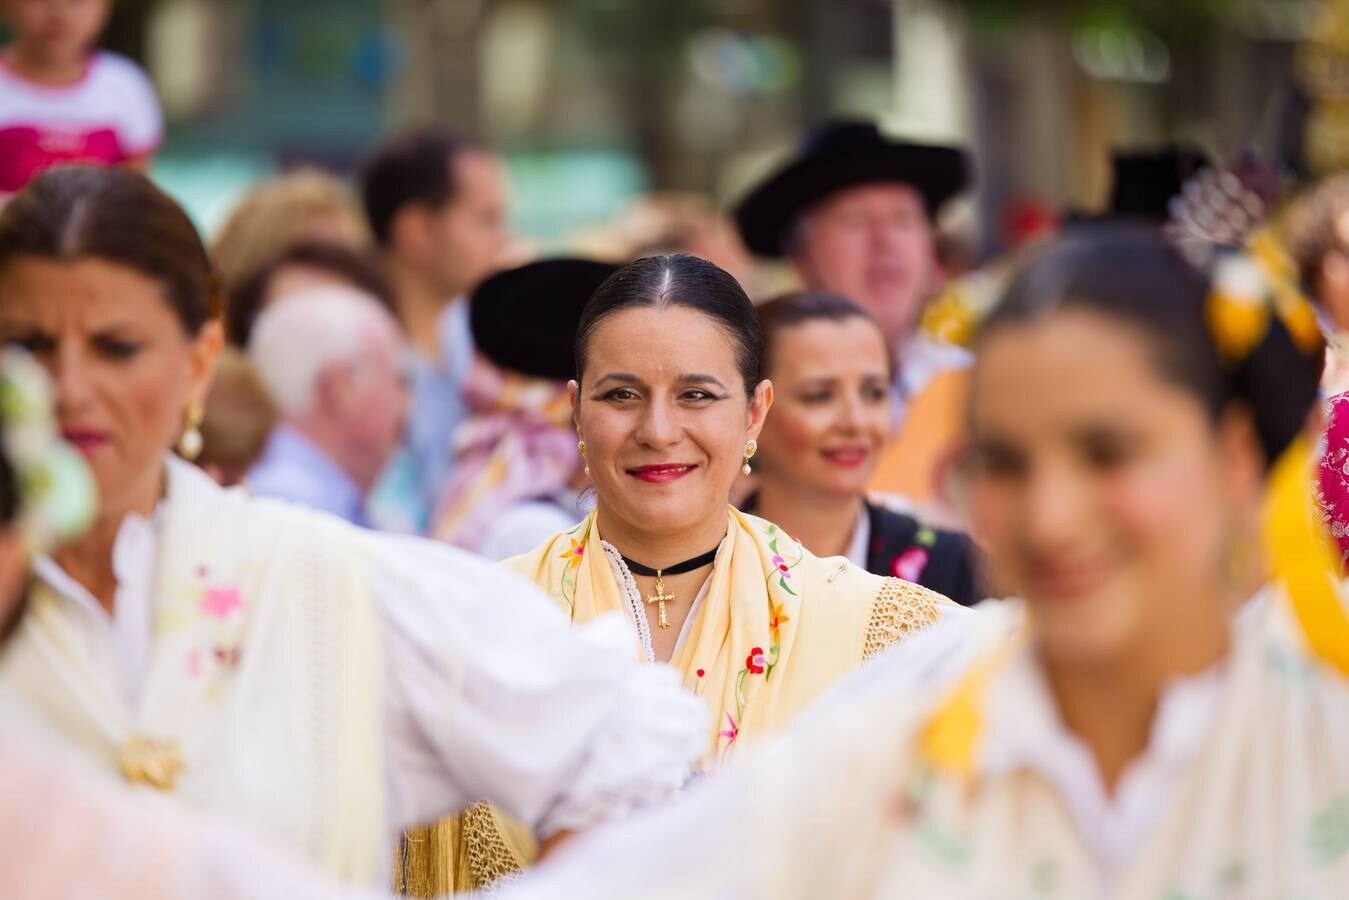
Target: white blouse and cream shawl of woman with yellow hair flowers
{"x":1242,"y":793}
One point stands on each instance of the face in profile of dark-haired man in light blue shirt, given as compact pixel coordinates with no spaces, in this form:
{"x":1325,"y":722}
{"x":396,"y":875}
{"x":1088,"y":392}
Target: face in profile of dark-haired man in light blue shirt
{"x":469,"y":234}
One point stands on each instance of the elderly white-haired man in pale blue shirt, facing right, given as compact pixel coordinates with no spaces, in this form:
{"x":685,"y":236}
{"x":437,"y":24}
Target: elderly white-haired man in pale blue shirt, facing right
{"x":333,"y":360}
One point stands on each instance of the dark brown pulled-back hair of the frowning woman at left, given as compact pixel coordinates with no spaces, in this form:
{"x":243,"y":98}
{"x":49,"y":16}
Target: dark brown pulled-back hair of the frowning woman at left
{"x":117,"y":215}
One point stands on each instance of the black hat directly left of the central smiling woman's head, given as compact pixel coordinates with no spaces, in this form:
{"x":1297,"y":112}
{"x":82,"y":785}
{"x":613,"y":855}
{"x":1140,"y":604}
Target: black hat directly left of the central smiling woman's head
{"x":525,"y":319}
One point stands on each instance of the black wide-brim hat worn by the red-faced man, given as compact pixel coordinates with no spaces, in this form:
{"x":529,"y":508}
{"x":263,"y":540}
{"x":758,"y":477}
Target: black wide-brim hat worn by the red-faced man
{"x":838,"y":156}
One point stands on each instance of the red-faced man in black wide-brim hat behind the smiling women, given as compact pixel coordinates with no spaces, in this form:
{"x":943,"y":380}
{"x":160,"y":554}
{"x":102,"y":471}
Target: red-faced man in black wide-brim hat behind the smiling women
{"x":853,"y":213}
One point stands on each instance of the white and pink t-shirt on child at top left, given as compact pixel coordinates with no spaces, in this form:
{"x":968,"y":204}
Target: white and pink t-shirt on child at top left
{"x":110,"y":117}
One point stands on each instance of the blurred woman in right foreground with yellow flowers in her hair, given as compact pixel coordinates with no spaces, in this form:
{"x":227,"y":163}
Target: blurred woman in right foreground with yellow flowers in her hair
{"x":1149,"y":729}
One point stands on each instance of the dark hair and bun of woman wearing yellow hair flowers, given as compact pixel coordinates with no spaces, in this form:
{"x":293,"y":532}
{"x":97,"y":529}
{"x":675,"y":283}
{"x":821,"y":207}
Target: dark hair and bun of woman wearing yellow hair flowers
{"x":1138,"y":277}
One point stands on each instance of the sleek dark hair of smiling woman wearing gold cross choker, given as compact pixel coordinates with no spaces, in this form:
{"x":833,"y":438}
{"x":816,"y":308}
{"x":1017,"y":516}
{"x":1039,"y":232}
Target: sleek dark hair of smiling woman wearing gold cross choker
{"x":679,"y":280}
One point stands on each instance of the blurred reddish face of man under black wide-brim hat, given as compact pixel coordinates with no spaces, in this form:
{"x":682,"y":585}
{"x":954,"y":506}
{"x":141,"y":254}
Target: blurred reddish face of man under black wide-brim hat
{"x":872,"y":245}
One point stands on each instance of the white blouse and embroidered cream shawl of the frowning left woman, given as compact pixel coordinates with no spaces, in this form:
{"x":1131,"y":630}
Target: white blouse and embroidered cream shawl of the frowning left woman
{"x":330,"y":686}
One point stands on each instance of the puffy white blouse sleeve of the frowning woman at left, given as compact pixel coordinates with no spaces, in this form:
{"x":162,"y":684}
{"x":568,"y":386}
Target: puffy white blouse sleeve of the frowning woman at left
{"x":493,"y":696}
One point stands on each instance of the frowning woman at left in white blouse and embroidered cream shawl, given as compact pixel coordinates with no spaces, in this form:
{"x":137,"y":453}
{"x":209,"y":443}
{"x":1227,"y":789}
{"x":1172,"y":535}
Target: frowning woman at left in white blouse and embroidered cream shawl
{"x":318,"y":682}
